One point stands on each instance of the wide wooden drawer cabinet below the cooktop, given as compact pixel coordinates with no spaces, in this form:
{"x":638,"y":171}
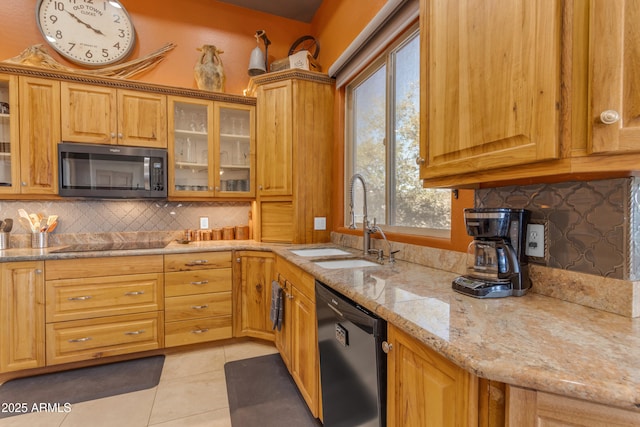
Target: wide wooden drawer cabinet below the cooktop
{"x":103,"y":307}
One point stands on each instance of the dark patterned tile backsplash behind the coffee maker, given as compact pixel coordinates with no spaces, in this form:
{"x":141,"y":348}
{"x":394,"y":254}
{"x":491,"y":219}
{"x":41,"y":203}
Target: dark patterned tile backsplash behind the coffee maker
{"x":592,"y":225}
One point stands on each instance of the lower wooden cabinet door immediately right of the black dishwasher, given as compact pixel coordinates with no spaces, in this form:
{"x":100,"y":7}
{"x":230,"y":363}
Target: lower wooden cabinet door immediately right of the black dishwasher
{"x":425,"y":389}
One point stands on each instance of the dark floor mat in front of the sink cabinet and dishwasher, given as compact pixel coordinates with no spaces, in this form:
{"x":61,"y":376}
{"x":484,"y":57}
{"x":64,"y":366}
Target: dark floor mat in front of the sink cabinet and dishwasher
{"x":262,"y":393}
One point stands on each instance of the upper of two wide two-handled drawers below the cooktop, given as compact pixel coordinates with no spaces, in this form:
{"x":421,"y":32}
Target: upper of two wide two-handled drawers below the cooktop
{"x":71,"y":299}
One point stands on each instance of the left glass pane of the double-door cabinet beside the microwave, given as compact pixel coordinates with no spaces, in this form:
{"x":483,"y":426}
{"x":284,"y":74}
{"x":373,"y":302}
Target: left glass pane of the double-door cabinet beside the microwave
{"x":191,"y":130}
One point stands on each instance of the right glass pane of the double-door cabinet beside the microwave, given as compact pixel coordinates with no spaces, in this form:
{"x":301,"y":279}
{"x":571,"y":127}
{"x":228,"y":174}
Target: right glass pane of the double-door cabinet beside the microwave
{"x":235,"y":150}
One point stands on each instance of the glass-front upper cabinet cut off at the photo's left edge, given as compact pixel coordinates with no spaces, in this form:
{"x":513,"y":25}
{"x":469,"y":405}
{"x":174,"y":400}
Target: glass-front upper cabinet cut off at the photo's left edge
{"x":9,"y":161}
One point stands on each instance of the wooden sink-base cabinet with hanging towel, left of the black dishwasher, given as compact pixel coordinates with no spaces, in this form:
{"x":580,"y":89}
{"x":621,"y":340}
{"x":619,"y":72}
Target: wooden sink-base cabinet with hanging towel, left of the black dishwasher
{"x":297,"y":341}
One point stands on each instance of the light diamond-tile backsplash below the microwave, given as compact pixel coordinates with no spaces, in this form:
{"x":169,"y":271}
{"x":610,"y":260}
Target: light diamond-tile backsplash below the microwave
{"x":115,"y":216}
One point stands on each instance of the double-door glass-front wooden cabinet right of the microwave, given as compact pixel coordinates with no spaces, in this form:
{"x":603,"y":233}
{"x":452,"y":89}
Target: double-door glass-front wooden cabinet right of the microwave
{"x":211,"y":148}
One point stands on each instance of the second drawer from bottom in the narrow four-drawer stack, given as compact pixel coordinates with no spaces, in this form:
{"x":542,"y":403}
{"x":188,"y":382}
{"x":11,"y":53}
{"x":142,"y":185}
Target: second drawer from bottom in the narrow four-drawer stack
{"x":197,"y":306}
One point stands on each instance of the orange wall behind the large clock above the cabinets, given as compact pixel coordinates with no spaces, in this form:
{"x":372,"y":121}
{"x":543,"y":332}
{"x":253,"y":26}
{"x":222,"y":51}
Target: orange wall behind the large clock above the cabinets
{"x":187,"y":23}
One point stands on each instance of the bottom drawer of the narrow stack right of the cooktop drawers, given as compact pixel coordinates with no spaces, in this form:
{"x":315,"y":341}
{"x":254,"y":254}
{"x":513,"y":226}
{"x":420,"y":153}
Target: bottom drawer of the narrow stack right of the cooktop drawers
{"x":195,"y":331}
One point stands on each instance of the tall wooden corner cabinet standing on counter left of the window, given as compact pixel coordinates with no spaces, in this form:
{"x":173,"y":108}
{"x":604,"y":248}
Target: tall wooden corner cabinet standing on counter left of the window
{"x":294,"y":129}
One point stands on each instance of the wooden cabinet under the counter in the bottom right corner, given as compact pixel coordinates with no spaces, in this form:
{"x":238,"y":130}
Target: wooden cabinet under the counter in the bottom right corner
{"x":530,"y":408}
